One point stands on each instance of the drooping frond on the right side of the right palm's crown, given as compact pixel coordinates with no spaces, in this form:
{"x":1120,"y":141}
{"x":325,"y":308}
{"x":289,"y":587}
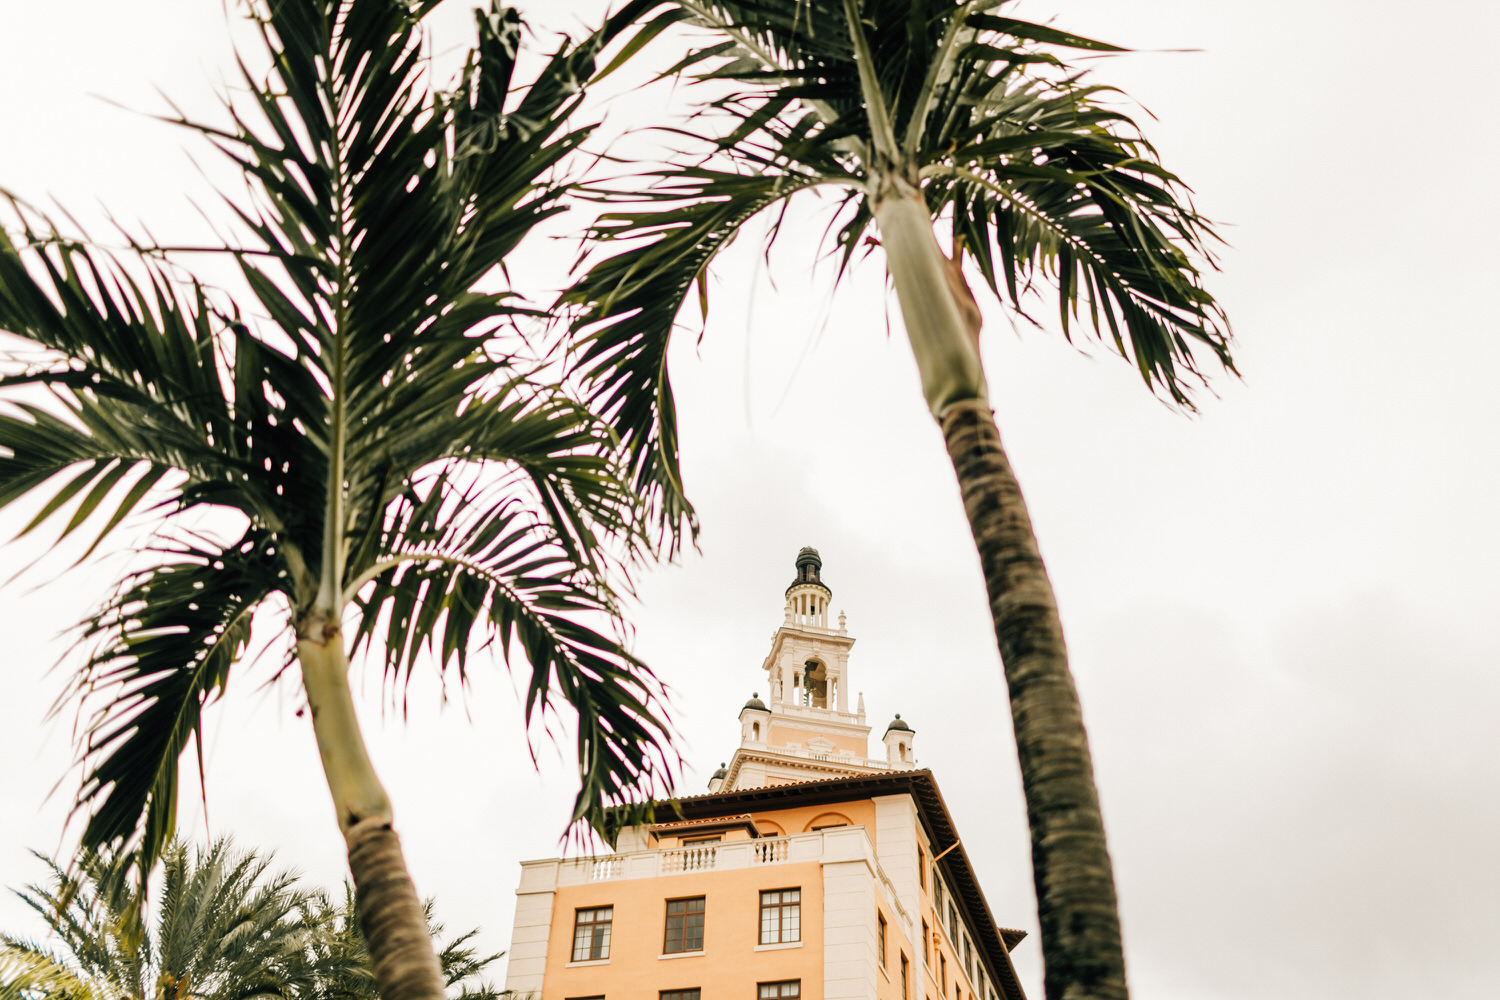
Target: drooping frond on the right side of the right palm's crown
{"x":1046,"y":184}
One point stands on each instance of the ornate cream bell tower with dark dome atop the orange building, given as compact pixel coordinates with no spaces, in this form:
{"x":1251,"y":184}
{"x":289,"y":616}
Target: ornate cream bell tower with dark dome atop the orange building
{"x":805,"y":729}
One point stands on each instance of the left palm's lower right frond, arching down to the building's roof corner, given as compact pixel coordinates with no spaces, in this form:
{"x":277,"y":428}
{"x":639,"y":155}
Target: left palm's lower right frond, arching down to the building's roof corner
{"x":469,"y":570}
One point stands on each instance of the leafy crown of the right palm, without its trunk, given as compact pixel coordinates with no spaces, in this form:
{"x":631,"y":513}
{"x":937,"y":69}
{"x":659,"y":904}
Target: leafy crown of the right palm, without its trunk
{"x":1006,"y":146}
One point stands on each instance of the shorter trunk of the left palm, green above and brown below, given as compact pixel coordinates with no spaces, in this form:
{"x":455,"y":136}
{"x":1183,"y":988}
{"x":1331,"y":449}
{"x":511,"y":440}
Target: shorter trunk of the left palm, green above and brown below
{"x":391,"y":914}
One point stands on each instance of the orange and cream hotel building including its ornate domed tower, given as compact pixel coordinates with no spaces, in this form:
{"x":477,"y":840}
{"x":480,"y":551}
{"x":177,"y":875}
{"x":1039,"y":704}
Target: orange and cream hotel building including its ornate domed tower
{"x":809,"y":872}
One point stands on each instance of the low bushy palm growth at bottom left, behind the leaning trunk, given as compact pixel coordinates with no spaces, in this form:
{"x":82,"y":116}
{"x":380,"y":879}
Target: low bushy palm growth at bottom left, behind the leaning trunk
{"x":224,"y":930}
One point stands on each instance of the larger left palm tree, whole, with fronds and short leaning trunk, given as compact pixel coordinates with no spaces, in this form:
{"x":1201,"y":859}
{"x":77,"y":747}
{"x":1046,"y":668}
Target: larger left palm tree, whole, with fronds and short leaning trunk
{"x":355,"y":442}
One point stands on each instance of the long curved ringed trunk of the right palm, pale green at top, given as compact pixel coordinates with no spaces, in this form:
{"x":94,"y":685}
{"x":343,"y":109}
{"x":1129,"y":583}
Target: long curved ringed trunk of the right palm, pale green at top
{"x":1078,"y":909}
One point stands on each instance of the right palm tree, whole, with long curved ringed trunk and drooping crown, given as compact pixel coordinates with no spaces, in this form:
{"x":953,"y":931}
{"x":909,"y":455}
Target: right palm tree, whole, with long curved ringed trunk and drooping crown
{"x":922,"y":115}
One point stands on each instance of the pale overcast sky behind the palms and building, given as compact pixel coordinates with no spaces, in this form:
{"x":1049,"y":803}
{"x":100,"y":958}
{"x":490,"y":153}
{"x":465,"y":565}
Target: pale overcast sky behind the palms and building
{"x":1282,"y":611}
